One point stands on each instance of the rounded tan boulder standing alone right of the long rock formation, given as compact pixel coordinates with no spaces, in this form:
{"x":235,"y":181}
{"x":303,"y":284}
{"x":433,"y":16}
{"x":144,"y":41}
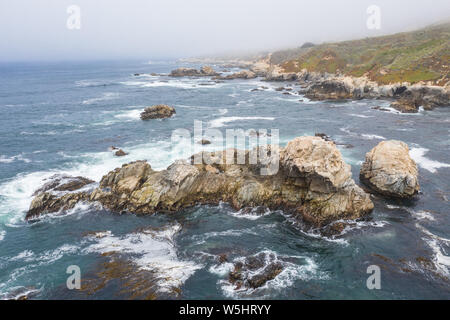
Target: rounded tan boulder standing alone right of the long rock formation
{"x":390,"y":171}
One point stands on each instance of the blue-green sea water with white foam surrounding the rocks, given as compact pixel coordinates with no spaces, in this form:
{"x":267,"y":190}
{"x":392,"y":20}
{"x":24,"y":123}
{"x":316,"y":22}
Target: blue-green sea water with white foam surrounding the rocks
{"x":61,"y":118}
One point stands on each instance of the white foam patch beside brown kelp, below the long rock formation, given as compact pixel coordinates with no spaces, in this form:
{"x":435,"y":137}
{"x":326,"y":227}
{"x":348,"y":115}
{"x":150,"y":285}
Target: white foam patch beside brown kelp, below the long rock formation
{"x":151,"y":250}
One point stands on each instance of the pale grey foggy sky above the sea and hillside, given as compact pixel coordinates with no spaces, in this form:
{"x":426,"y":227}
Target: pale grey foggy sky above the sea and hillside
{"x":158,"y":29}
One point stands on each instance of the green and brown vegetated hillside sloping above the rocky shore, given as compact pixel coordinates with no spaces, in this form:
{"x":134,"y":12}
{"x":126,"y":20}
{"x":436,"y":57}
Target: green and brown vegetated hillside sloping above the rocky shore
{"x":422,"y":55}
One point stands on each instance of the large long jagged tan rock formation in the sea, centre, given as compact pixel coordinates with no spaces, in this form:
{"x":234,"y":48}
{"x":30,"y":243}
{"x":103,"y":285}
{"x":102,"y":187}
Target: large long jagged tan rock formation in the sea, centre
{"x":307,"y":178}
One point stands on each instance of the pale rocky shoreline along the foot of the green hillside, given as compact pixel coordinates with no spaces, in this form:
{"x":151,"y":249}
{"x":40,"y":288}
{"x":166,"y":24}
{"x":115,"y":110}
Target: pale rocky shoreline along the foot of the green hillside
{"x":405,"y":97}
